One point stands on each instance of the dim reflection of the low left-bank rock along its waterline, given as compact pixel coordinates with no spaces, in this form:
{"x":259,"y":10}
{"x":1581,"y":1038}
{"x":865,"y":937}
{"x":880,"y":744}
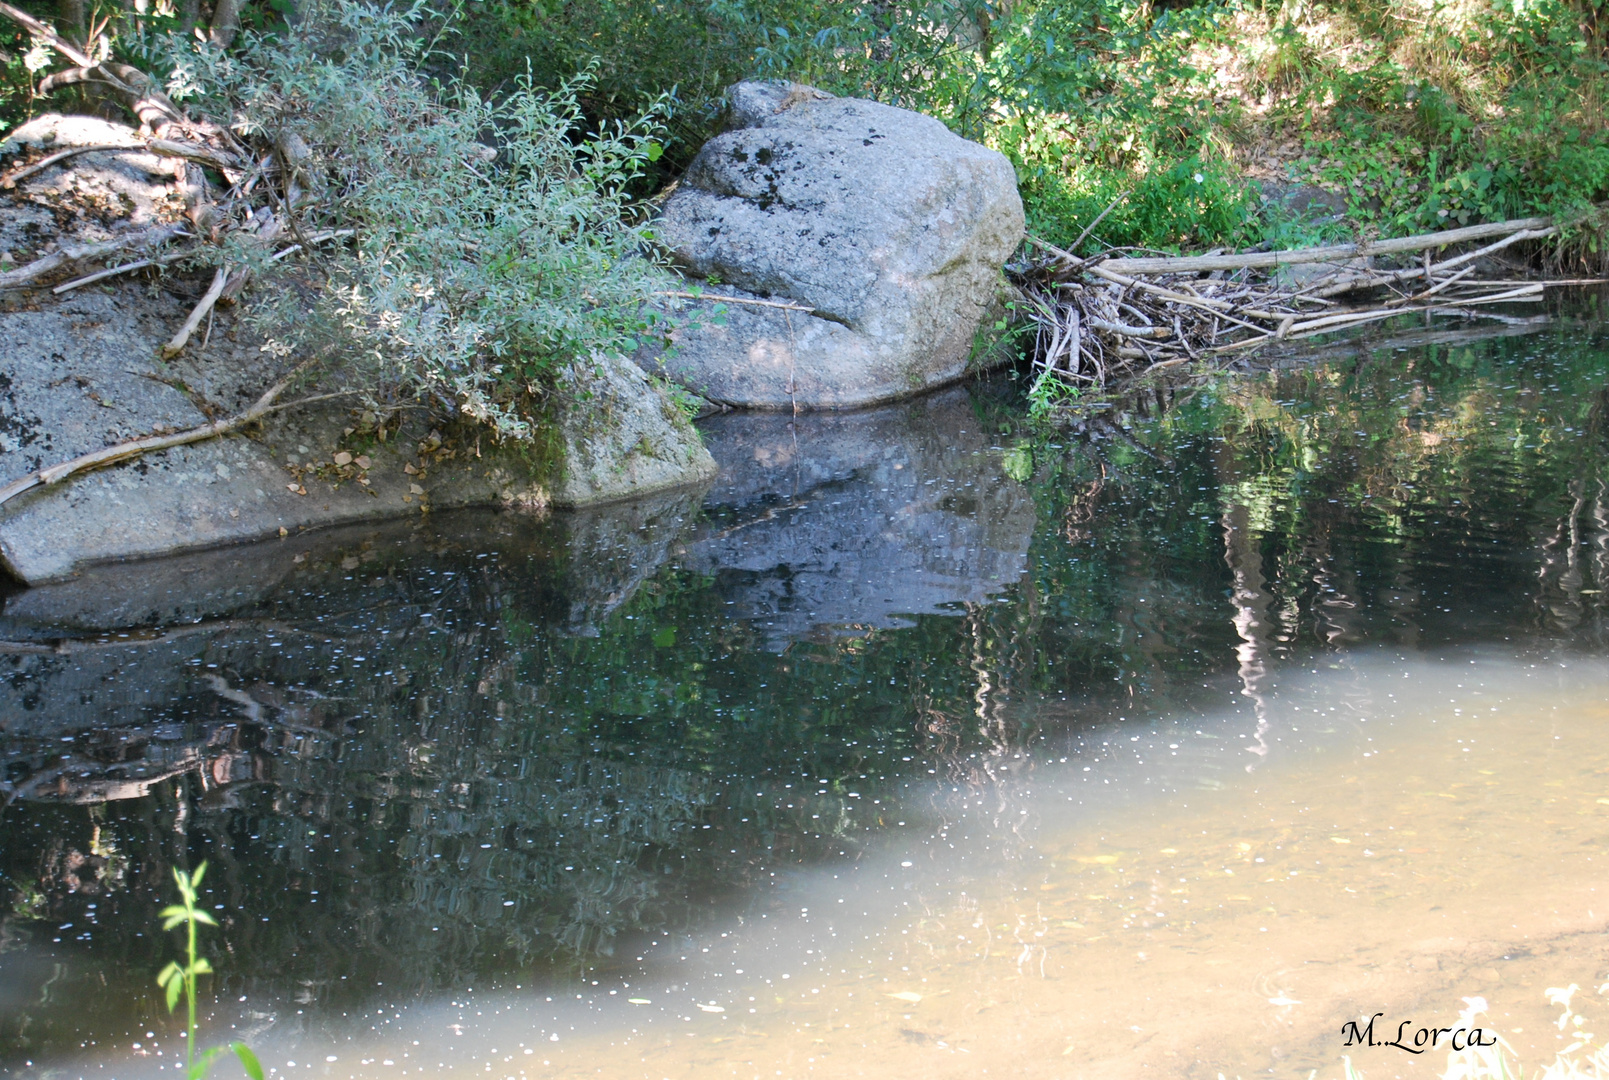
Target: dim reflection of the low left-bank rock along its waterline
{"x":131,"y":646}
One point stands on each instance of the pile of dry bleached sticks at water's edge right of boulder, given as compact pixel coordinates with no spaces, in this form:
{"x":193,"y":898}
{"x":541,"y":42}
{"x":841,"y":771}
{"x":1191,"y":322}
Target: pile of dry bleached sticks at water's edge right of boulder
{"x":1106,"y":318}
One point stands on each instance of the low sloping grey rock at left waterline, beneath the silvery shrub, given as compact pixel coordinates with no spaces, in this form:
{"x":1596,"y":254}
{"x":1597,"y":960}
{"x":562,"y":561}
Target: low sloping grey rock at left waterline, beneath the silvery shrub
{"x":83,"y":374}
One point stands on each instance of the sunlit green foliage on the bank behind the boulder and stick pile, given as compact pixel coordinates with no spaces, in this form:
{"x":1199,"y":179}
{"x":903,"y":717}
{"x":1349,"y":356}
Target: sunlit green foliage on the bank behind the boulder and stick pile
{"x":1478,"y":112}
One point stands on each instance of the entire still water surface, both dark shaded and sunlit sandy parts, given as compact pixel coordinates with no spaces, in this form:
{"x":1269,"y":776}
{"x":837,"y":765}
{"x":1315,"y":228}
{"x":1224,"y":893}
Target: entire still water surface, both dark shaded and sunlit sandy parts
{"x":918,"y":743}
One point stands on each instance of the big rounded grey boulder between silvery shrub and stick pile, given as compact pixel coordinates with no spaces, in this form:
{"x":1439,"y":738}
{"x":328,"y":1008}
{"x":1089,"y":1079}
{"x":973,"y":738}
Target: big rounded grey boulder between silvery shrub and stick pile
{"x":874,"y":234}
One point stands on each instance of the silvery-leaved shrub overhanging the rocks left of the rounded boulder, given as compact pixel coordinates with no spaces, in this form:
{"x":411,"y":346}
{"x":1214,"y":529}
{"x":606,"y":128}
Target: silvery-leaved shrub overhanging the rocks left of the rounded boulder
{"x":492,"y":244}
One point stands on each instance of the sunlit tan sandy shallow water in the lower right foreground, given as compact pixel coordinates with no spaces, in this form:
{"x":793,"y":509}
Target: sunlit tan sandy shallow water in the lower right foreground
{"x":1385,"y":836}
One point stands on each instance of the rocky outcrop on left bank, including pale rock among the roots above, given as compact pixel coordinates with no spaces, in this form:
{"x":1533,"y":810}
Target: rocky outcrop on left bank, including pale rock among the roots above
{"x":81,"y":373}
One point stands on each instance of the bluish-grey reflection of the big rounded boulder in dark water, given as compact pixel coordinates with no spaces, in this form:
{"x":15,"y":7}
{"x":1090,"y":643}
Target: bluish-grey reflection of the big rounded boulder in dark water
{"x":825,"y":522}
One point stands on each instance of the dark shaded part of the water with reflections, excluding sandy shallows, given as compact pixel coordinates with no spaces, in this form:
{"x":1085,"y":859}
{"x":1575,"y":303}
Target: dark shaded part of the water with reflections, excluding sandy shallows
{"x":485,"y":749}
